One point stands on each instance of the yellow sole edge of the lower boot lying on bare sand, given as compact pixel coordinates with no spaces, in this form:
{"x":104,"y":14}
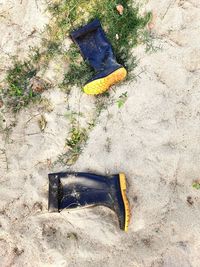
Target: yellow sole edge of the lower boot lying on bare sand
{"x":122,"y":180}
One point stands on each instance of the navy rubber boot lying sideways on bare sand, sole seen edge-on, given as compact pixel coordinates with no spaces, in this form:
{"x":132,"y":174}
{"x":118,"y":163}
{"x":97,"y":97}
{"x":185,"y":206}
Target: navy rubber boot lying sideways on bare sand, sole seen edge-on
{"x":73,"y":190}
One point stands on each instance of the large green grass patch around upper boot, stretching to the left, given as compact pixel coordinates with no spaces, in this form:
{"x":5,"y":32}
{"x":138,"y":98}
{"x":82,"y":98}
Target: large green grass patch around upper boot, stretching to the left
{"x":67,"y":15}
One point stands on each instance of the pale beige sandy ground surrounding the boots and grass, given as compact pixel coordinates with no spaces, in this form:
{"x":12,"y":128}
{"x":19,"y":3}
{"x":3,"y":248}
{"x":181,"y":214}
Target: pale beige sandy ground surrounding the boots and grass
{"x":154,"y":138}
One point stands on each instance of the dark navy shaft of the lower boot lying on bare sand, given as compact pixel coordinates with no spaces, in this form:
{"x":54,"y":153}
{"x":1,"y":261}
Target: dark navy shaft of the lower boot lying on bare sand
{"x":81,"y":189}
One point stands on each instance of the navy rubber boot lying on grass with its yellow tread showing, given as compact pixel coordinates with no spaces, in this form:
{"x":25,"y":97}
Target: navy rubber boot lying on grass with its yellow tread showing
{"x":96,"y":49}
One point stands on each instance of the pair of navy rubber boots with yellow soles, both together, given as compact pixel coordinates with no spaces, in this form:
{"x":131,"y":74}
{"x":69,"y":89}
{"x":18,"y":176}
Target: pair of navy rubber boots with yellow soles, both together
{"x":72,"y":190}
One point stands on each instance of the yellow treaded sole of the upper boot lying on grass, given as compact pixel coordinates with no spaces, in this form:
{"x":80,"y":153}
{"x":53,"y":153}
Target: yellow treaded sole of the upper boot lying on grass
{"x":101,"y":85}
